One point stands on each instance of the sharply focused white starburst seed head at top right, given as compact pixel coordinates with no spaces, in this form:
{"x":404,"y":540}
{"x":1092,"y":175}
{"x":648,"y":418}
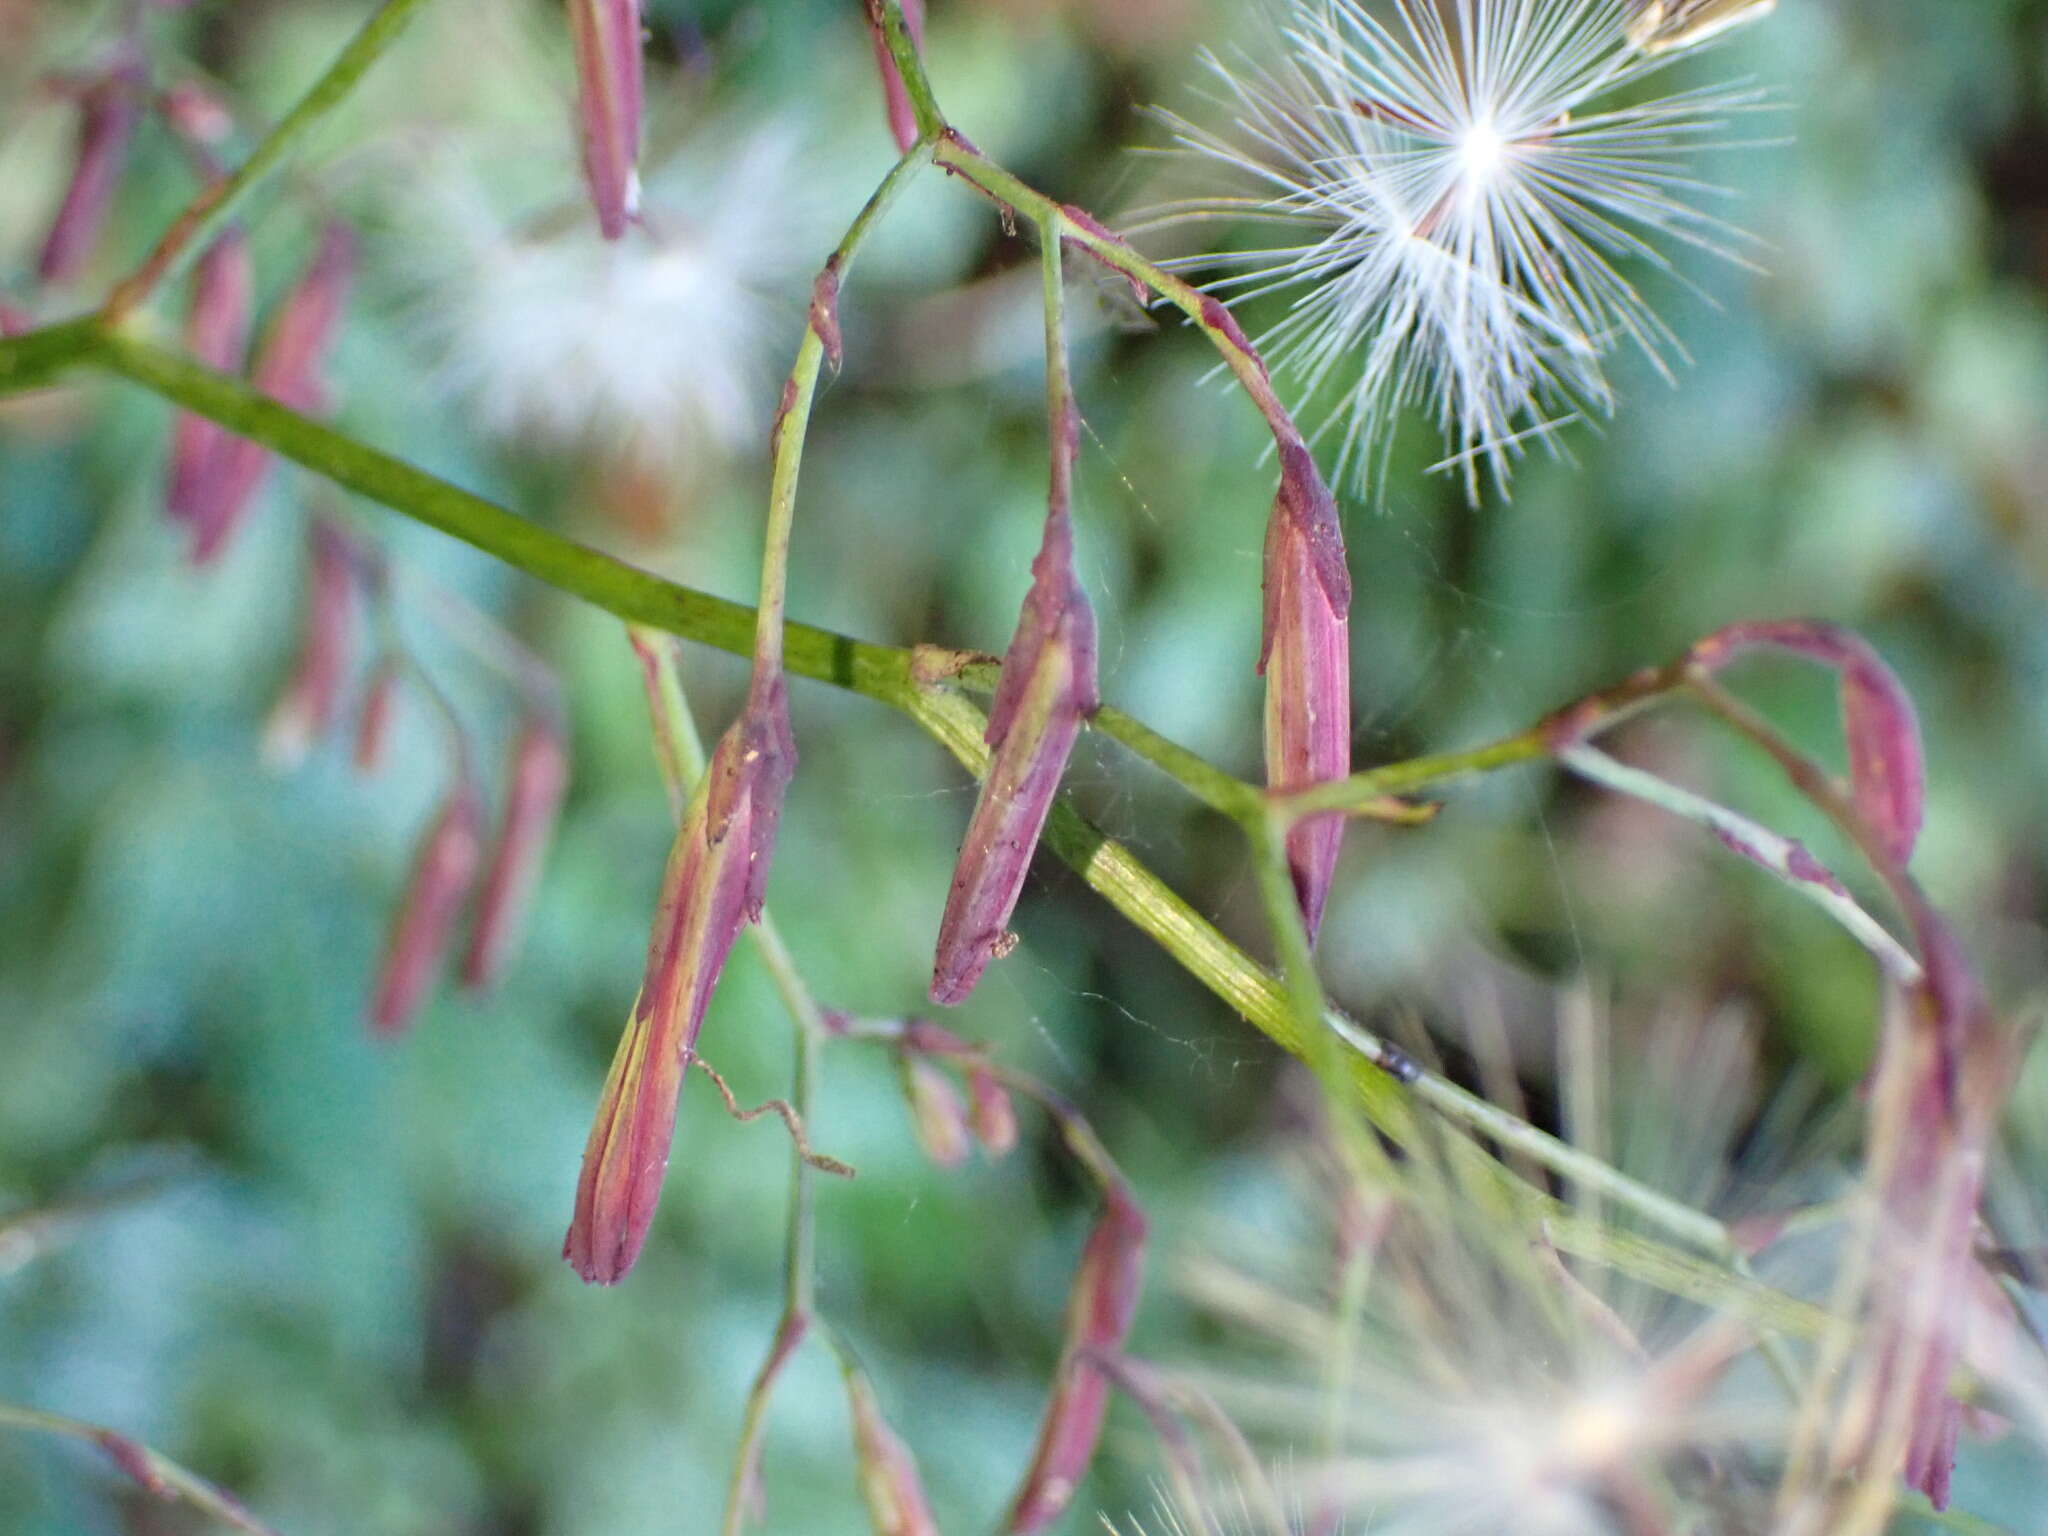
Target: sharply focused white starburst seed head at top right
{"x":1459,"y":194}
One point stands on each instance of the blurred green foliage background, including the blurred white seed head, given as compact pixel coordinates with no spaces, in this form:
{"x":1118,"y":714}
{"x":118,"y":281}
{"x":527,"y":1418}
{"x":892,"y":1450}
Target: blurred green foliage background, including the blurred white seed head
{"x":331,"y":1269}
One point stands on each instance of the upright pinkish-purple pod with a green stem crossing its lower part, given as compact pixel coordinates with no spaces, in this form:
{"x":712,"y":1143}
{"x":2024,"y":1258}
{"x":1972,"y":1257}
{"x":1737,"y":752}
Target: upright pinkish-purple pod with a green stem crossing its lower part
{"x":1308,"y":667}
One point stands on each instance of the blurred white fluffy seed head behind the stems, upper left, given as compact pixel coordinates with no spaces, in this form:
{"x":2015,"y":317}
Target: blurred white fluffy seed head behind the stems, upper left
{"x":663,"y":343}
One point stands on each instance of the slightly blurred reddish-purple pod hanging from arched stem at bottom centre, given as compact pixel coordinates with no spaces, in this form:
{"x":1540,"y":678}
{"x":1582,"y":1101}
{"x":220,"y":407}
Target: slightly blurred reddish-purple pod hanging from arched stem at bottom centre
{"x":1099,"y":1322}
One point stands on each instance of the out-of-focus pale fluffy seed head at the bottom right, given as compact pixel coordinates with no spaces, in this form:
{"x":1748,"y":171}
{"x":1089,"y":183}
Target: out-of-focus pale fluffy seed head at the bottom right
{"x":1414,"y":1359}
